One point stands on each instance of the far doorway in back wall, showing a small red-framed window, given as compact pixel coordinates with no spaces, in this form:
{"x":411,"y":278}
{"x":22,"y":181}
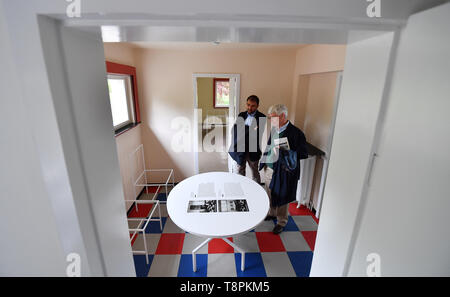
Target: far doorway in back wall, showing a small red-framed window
{"x":216,"y":103}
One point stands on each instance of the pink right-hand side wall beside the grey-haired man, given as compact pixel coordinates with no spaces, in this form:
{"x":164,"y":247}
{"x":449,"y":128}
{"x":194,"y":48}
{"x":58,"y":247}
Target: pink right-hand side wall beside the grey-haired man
{"x":312,"y":103}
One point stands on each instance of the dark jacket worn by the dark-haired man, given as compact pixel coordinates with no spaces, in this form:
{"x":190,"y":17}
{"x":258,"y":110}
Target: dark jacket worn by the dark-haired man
{"x":236,"y":152}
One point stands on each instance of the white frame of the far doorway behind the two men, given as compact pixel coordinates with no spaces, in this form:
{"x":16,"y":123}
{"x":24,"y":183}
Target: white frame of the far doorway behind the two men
{"x":236,"y":102}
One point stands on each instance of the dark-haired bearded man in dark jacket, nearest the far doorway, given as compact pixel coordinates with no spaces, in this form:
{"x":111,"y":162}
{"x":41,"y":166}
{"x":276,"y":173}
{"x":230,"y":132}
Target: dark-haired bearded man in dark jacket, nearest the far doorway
{"x":247,"y":132}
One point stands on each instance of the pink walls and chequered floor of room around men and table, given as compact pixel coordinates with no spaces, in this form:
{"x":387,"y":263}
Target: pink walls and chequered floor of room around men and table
{"x":304,"y":77}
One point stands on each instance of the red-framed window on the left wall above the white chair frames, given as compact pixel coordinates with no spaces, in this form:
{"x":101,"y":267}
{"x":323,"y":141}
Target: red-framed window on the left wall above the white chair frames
{"x":122,"y":89}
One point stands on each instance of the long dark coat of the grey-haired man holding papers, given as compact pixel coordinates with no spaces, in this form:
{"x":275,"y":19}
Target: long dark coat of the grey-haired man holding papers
{"x":286,"y":170}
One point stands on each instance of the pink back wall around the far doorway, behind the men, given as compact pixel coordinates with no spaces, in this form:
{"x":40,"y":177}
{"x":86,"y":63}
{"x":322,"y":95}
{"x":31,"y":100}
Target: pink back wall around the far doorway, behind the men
{"x":166,"y":91}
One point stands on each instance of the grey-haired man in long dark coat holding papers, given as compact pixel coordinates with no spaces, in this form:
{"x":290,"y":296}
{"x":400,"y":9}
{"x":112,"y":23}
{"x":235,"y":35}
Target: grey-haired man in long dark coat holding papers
{"x":281,"y":163}
